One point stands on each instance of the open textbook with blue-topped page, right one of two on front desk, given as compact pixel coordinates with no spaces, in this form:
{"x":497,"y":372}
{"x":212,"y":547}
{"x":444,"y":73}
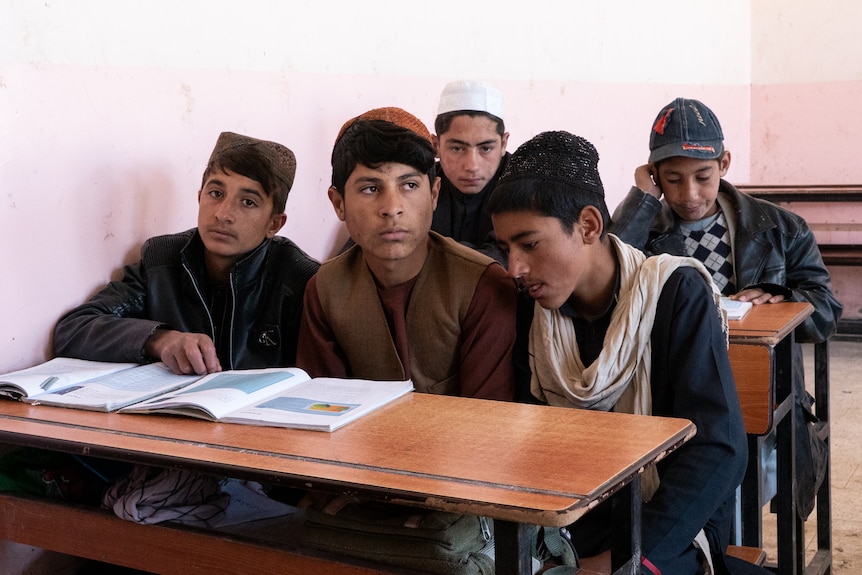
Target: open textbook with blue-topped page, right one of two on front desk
{"x":280,"y":397}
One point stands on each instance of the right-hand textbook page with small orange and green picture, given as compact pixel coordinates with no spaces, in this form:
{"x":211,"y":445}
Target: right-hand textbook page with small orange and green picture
{"x":323,"y":403}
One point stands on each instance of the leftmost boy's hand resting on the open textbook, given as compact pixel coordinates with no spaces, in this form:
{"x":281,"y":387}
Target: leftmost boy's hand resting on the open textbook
{"x":183,"y":353}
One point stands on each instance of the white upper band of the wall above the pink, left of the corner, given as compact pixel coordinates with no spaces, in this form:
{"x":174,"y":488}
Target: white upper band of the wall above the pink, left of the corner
{"x":624,"y":41}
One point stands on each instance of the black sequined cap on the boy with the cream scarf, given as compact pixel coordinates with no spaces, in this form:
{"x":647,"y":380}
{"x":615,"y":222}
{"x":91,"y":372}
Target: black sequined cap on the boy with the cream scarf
{"x":556,"y":156}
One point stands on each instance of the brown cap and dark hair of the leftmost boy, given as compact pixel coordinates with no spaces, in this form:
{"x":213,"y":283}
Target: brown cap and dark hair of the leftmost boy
{"x":271,"y":165}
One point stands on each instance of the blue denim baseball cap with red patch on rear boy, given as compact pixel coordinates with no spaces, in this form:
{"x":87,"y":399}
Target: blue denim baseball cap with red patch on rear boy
{"x":686,"y":128}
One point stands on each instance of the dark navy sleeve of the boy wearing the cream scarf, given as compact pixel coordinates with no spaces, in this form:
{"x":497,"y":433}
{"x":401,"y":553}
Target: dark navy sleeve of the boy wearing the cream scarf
{"x":692,"y":379}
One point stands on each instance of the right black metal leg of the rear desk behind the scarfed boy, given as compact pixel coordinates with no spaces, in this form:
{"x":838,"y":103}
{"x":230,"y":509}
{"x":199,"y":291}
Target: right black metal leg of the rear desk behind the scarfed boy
{"x":791,"y":558}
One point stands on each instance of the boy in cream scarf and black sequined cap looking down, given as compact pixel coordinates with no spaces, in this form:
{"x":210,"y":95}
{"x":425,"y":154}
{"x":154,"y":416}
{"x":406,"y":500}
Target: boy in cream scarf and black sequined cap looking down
{"x":607,"y":328}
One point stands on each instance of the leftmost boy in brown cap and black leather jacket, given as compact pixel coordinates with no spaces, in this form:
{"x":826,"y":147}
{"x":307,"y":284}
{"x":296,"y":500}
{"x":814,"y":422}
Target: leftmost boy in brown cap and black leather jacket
{"x":224,"y":295}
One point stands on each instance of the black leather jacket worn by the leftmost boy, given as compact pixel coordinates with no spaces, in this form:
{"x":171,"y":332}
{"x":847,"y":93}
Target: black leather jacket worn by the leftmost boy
{"x":168,"y":288}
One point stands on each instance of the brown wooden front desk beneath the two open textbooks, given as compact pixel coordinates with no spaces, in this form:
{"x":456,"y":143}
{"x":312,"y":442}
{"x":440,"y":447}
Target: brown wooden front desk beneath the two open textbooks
{"x":519,"y":464}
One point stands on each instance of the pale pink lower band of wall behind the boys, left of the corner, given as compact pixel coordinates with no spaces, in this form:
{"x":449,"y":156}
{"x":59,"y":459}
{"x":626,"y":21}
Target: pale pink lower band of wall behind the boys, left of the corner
{"x":118,"y":158}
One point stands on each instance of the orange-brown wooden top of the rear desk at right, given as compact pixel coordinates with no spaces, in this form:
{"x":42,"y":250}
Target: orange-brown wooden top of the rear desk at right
{"x":768,"y":324}
